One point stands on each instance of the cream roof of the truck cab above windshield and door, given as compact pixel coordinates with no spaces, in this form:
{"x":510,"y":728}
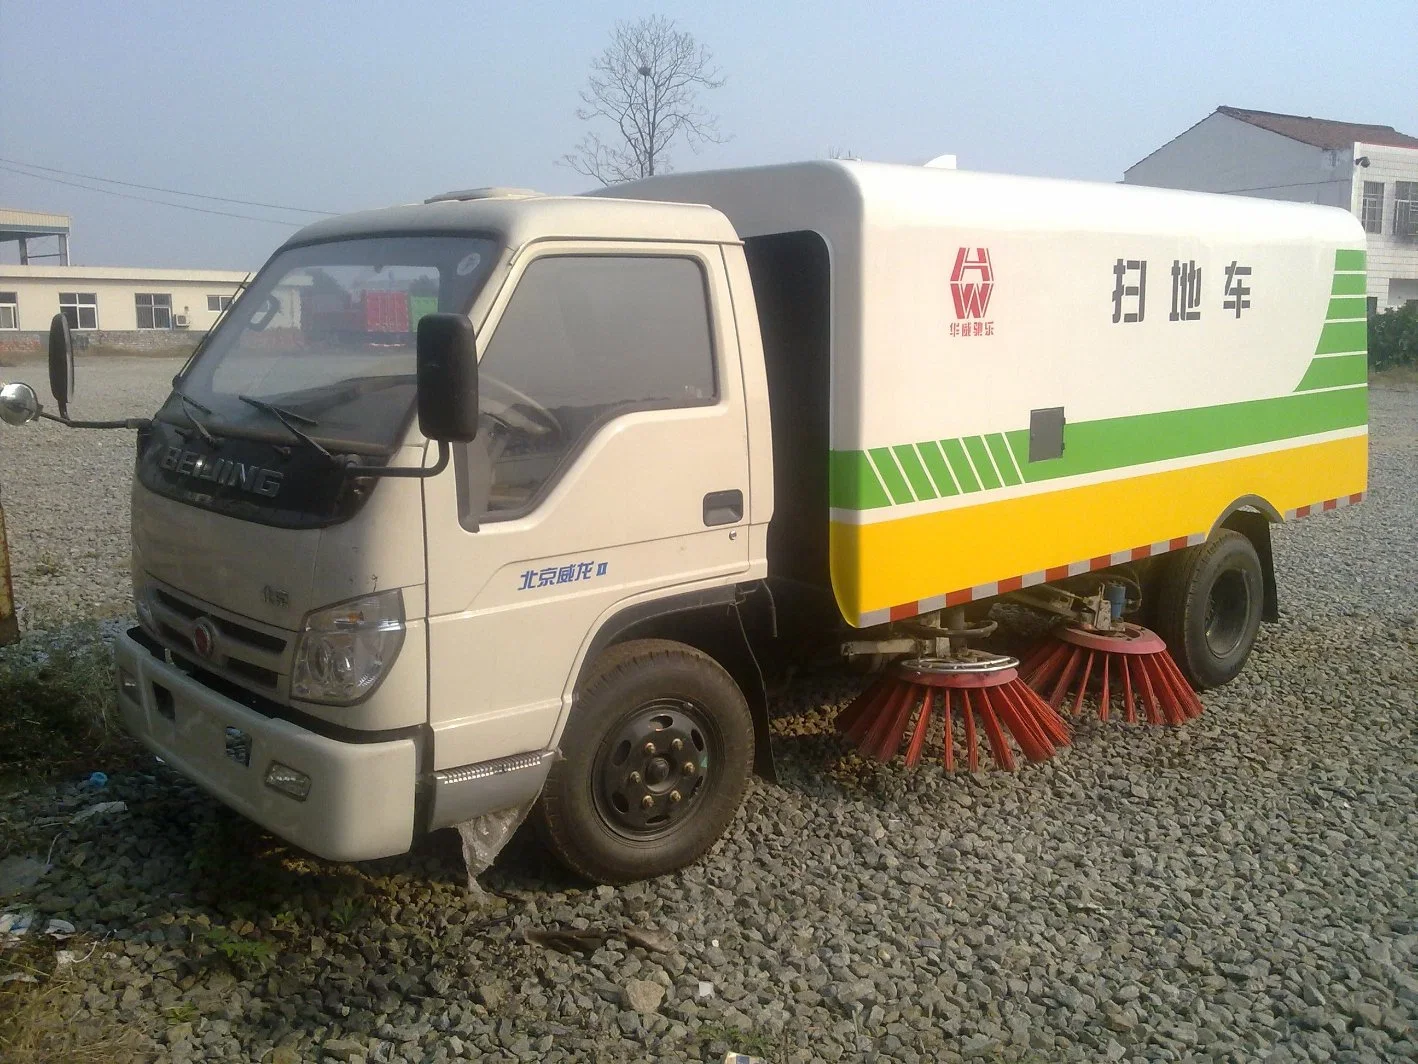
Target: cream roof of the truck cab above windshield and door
{"x":521,"y":218}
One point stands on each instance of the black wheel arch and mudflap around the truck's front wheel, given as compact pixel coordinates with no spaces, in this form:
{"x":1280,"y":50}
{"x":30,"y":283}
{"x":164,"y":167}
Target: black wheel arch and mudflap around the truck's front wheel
{"x":713,"y":622}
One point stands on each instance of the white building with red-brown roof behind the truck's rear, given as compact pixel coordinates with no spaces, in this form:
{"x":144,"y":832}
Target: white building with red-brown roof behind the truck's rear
{"x":1370,"y":171}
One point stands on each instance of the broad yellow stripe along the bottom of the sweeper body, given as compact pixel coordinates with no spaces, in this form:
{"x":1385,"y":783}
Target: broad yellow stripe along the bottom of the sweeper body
{"x":893,"y":563}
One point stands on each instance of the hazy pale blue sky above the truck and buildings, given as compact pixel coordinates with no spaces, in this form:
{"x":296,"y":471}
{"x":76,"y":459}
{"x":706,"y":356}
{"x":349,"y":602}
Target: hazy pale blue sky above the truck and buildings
{"x":347,"y":106}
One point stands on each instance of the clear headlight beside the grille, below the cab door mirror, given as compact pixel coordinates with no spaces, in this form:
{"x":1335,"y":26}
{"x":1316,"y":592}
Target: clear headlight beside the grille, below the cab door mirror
{"x":345,"y":650}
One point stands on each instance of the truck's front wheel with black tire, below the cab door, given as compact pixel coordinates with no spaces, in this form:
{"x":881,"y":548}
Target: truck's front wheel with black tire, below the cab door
{"x":656,"y":758}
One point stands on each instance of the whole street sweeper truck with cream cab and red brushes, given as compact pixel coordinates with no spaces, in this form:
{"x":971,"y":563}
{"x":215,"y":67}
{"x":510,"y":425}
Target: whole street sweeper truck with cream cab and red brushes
{"x":507,"y":499}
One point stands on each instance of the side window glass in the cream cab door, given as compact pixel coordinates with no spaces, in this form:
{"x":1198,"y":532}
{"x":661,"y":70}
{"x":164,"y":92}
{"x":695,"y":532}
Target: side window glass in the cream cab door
{"x":585,"y":340}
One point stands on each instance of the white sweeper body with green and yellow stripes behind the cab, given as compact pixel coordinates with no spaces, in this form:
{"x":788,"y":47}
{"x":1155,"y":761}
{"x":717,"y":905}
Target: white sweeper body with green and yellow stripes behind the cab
{"x":1196,"y":351}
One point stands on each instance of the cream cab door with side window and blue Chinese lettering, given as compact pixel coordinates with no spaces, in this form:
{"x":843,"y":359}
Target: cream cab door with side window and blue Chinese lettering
{"x":612,"y":463}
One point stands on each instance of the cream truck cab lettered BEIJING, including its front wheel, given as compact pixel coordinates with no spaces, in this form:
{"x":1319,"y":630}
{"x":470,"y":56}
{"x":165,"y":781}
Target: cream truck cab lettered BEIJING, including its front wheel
{"x":352,"y":659}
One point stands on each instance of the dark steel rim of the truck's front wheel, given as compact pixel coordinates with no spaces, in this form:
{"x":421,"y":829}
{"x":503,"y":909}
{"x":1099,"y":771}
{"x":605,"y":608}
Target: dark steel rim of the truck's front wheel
{"x":656,"y":767}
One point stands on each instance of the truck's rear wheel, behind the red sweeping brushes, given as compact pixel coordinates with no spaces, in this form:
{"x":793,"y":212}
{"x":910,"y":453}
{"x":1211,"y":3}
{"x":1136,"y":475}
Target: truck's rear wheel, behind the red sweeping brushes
{"x":1207,"y":608}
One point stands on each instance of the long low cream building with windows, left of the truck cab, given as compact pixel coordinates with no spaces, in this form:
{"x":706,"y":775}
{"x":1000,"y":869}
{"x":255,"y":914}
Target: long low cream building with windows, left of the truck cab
{"x":114,"y":300}
